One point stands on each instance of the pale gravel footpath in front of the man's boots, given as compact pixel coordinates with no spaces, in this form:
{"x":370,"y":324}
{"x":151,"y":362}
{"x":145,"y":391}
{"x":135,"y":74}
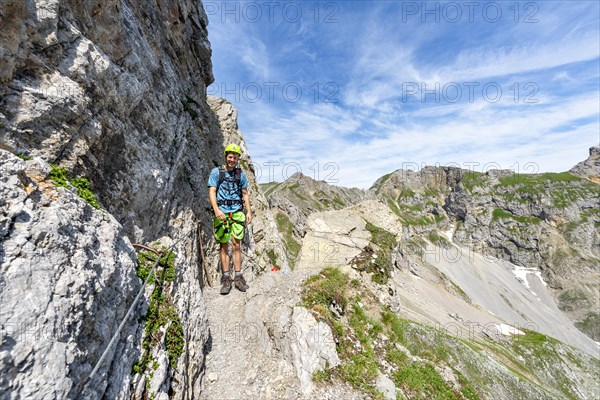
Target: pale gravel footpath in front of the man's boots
{"x":242,"y":361}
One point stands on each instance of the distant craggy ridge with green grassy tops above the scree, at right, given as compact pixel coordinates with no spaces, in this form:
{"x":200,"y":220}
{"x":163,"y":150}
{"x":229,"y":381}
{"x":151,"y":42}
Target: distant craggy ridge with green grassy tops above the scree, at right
{"x":545,"y":222}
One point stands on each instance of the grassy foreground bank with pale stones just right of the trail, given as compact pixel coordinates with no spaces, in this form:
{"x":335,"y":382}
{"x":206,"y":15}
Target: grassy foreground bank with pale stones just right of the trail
{"x":366,"y":343}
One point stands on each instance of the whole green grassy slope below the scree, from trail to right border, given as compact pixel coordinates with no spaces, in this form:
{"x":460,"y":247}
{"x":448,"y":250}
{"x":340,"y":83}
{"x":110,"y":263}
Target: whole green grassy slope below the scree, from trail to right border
{"x":428,"y":363}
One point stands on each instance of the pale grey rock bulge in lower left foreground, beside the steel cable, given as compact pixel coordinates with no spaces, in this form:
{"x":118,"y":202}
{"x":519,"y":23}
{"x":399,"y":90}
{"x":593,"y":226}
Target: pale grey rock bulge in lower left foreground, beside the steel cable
{"x":67,"y":279}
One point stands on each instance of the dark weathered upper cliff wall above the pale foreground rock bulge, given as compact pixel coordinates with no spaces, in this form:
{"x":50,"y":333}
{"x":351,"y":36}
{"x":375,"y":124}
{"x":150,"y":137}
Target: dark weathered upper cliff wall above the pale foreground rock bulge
{"x":113,"y":91}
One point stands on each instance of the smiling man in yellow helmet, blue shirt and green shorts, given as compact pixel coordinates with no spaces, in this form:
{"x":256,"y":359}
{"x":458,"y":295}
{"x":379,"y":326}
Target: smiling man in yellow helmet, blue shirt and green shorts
{"x":228,"y":195}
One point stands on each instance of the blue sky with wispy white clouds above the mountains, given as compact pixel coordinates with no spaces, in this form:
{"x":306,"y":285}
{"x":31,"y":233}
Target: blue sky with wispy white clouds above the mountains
{"x":348,"y":91}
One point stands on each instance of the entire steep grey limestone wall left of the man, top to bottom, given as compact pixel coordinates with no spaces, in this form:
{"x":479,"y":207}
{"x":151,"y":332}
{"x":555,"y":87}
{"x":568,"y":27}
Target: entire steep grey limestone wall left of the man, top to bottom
{"x":113,"y":91}
